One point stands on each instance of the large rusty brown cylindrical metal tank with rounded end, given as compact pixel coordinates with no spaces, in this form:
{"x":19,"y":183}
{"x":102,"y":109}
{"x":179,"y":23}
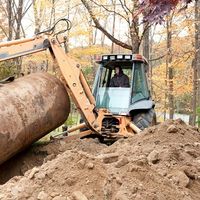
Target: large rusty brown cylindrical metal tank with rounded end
{"x":30,"y":107}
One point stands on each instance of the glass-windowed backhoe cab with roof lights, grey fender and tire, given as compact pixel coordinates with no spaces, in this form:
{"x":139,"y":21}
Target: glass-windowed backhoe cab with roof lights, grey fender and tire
{"x":133,"y":101}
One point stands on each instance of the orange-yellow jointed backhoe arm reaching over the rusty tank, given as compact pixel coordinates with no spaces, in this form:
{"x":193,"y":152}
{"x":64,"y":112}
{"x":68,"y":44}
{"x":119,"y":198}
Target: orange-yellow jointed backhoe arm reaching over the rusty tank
{"x":72,"y":78}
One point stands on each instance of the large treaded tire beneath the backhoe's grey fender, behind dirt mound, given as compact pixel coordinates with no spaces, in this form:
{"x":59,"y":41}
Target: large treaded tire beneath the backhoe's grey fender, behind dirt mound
{"x":145,"y":119}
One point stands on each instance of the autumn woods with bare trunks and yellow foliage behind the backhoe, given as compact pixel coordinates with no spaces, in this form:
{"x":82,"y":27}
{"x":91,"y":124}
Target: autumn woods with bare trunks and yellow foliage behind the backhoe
{"x":102,"y":26}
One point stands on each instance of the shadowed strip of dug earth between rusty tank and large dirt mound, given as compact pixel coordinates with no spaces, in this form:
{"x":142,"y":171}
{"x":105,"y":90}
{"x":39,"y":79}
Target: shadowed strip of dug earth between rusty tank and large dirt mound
{"x":39,"y":153}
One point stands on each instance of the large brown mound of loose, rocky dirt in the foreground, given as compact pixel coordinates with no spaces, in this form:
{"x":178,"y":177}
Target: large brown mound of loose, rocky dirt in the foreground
{"x":161,"y":163}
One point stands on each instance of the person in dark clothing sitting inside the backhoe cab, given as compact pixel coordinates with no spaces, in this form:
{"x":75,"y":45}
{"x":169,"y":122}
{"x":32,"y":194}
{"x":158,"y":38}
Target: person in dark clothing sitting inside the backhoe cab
{"x":119,"y":79}
